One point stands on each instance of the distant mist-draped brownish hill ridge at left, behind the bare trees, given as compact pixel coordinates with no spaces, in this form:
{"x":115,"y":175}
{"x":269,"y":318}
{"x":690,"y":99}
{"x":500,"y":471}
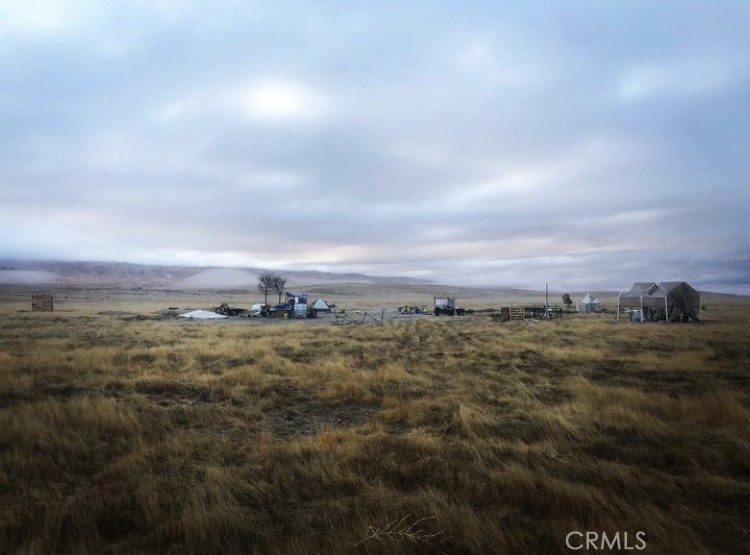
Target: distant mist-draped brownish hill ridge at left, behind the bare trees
{"x":126,"y":275}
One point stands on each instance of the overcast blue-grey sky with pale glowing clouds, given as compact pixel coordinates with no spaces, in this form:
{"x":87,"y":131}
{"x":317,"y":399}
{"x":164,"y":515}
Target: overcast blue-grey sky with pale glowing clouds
{"x":586,"y":144}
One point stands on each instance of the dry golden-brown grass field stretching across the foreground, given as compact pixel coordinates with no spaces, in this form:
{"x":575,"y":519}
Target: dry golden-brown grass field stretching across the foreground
{"x":438,"y":435}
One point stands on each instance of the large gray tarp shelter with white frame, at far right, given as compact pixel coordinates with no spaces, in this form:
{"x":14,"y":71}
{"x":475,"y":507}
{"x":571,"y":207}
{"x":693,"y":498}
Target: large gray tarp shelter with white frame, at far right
{"x":673,"y":301}
